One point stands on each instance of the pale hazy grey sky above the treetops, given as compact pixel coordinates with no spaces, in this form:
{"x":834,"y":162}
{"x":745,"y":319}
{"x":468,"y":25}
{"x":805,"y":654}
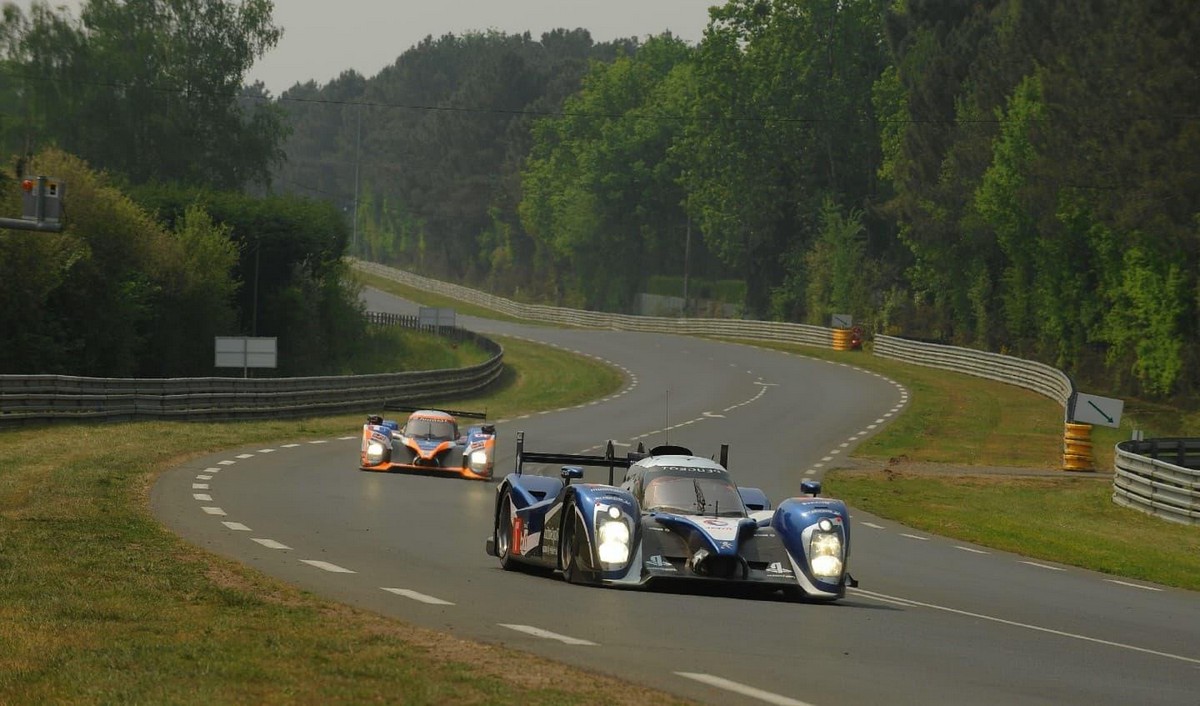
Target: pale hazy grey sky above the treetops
{"x":323,"y":39}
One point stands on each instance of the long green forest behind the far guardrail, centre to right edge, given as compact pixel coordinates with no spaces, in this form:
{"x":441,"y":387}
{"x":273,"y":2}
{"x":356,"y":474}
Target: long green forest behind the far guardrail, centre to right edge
{"x":1019,"y":177}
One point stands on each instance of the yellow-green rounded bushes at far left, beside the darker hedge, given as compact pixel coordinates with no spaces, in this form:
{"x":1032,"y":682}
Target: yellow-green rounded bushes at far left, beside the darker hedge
{"x":116,"y":294}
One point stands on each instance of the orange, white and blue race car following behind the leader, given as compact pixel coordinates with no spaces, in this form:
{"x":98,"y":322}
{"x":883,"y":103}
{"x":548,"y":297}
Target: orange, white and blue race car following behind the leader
{"x":429,"y":442}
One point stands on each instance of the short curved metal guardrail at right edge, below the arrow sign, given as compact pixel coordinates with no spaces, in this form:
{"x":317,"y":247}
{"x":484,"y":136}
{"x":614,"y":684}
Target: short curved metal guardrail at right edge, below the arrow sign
{"x":1160,"y":477}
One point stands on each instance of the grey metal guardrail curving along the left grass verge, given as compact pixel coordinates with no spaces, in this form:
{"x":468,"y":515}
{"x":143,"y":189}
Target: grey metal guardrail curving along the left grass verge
{"x":39,"y":399}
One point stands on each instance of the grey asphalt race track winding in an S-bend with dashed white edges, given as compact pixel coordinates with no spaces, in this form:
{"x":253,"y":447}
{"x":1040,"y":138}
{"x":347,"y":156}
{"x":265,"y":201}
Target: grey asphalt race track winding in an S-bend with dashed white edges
{"x":934,"y":623}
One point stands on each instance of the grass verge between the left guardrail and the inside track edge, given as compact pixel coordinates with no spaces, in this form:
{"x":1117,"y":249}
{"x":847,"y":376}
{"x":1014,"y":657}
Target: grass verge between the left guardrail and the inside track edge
{"x":99,"y":605}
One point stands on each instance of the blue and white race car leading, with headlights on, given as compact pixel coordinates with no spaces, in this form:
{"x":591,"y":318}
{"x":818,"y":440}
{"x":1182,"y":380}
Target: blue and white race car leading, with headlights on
{"x":676,"y":517}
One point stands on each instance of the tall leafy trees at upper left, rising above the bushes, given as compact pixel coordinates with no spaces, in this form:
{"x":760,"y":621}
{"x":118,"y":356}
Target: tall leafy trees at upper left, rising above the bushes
{"x":147,"y":89}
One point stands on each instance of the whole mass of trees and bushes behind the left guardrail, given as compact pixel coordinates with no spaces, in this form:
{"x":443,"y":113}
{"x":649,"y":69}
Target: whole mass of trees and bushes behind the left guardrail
{"x":172,"y":237}
